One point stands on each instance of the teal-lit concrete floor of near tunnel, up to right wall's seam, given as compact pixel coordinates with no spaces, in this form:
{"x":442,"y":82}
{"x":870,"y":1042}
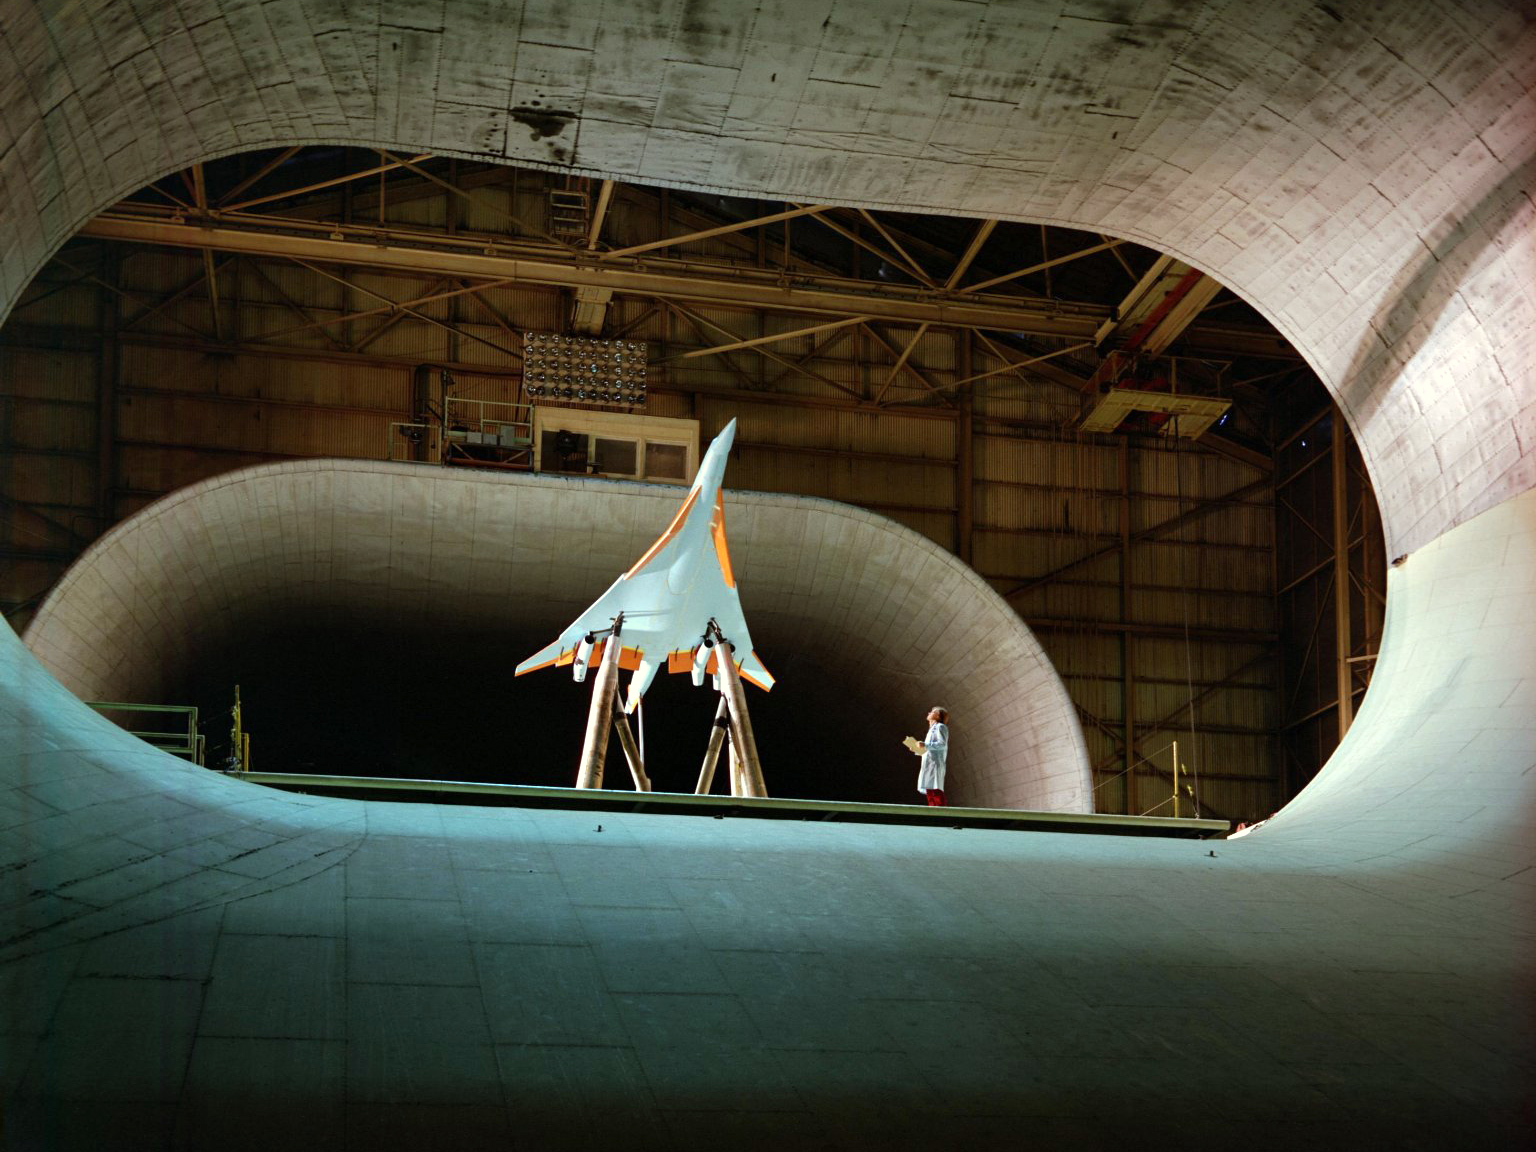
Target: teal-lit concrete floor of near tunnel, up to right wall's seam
{"x":199,"y":962}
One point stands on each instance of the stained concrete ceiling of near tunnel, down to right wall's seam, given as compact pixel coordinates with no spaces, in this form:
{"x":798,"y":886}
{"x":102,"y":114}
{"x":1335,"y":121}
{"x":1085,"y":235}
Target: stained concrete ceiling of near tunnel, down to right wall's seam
{"x":1302,"y":157}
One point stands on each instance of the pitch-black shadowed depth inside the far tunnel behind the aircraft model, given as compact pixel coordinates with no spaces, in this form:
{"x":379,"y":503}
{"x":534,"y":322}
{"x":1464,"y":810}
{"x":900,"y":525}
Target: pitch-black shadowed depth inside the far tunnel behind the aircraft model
{"x":409,"y":700}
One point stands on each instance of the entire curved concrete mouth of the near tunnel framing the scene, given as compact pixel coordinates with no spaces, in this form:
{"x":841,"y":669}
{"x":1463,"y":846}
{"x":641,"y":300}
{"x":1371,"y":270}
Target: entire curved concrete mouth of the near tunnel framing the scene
{"x":1359,"y":975}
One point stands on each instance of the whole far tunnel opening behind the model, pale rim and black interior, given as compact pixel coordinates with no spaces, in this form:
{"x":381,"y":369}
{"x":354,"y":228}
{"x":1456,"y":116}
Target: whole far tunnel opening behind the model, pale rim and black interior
{"x":372,"y":617}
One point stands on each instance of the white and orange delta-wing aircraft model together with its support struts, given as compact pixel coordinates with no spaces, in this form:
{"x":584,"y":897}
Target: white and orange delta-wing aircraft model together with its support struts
{"x":678,"y":604}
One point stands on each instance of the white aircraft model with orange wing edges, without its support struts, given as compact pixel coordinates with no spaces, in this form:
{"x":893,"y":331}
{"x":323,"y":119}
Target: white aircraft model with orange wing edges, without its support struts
{"x":675,"y":604}
